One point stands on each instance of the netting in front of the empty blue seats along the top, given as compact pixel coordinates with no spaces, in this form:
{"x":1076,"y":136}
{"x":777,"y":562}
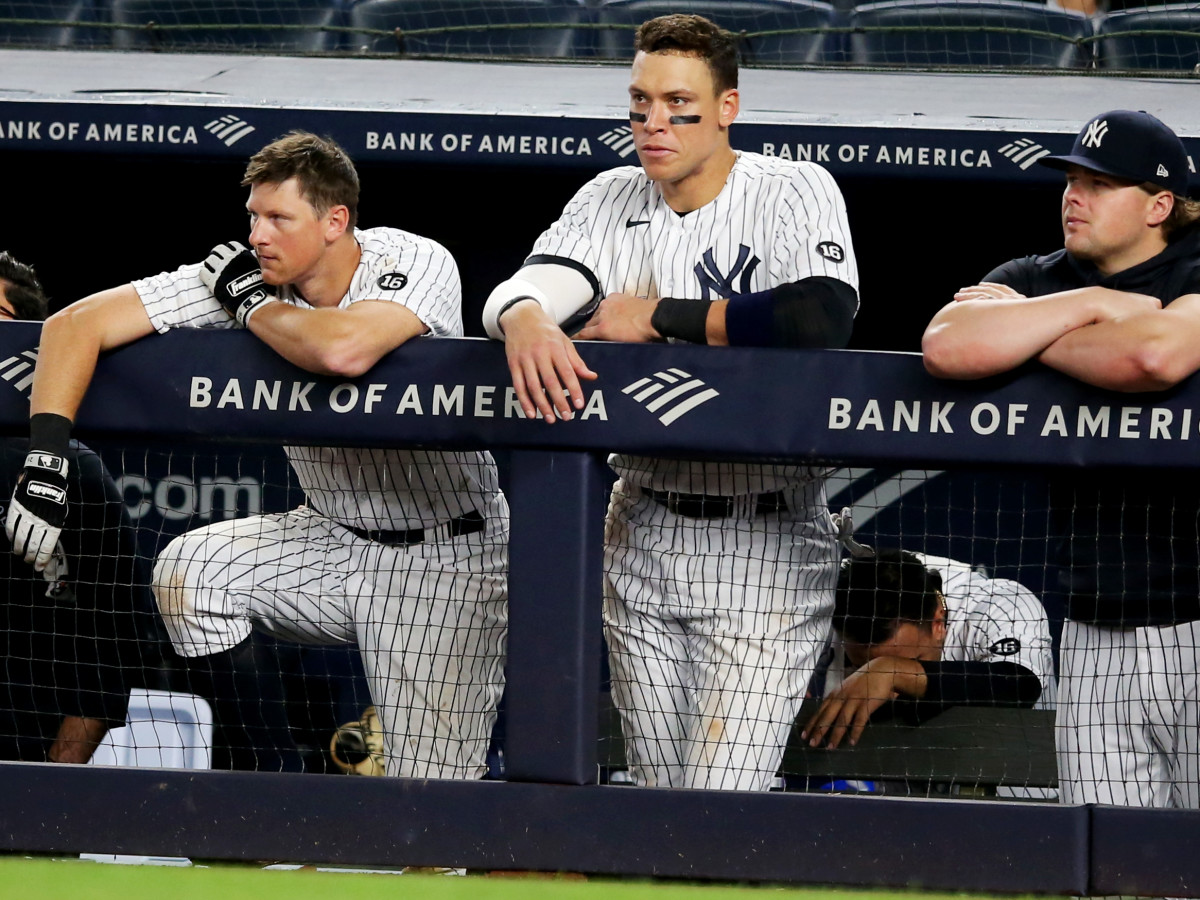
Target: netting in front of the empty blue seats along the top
{"x":1106,"y":35}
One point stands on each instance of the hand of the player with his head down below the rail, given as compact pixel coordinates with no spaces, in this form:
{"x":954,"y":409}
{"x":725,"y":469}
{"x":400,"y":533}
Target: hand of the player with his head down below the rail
{"x":849,"y":709}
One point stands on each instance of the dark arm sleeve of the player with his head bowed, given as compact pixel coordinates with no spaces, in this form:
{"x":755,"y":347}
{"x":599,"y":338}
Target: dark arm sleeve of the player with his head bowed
{"x":973,"y":683}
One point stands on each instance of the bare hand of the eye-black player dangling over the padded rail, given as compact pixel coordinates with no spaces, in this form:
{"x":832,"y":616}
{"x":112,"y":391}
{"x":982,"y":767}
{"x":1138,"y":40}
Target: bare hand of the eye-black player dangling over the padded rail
{"x":547,"y":369}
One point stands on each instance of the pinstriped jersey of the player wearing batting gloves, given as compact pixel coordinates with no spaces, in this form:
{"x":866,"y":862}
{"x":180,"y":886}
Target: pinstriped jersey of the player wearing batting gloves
{"x":368,"y":489}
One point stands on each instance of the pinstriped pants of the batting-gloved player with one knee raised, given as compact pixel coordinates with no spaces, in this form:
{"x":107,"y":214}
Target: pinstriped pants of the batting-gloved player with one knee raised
{"x":430,"y":620}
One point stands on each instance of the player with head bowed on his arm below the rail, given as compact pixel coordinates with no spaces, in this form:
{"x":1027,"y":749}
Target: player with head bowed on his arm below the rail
{"x":929,"y":633}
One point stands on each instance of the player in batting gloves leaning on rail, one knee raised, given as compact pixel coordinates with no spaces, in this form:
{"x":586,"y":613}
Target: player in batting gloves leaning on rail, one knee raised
{"x":399,"y":551}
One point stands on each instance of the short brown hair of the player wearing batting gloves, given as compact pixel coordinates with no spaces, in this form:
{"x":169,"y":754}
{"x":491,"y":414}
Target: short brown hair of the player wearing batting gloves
{"x":323,"y":170}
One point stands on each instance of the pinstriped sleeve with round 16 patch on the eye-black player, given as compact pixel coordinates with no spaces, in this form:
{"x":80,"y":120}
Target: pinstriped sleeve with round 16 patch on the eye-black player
{"x":813,"y":237}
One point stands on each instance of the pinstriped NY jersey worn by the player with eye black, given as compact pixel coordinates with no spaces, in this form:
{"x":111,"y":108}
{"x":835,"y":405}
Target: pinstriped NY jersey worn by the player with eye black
{"x":775,"y":223}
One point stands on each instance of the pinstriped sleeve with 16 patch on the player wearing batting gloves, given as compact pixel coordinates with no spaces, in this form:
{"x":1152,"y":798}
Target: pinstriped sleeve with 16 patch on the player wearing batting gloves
{"x":411,"y":271}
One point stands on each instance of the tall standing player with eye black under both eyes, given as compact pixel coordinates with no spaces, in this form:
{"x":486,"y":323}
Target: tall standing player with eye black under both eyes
{"x":719,"y":577}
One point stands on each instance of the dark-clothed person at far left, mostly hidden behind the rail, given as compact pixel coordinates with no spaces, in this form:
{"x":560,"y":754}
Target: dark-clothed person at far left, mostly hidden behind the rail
{"x":77,"y":635}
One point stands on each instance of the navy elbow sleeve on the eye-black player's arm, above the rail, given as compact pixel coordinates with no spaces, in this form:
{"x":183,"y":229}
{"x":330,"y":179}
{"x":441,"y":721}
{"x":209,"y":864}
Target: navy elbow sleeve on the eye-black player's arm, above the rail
{"x":812,"y":313}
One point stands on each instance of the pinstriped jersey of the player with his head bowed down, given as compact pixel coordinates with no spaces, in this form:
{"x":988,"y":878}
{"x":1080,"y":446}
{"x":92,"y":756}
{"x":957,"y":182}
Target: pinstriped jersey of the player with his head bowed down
{"x":987,"y":621}
